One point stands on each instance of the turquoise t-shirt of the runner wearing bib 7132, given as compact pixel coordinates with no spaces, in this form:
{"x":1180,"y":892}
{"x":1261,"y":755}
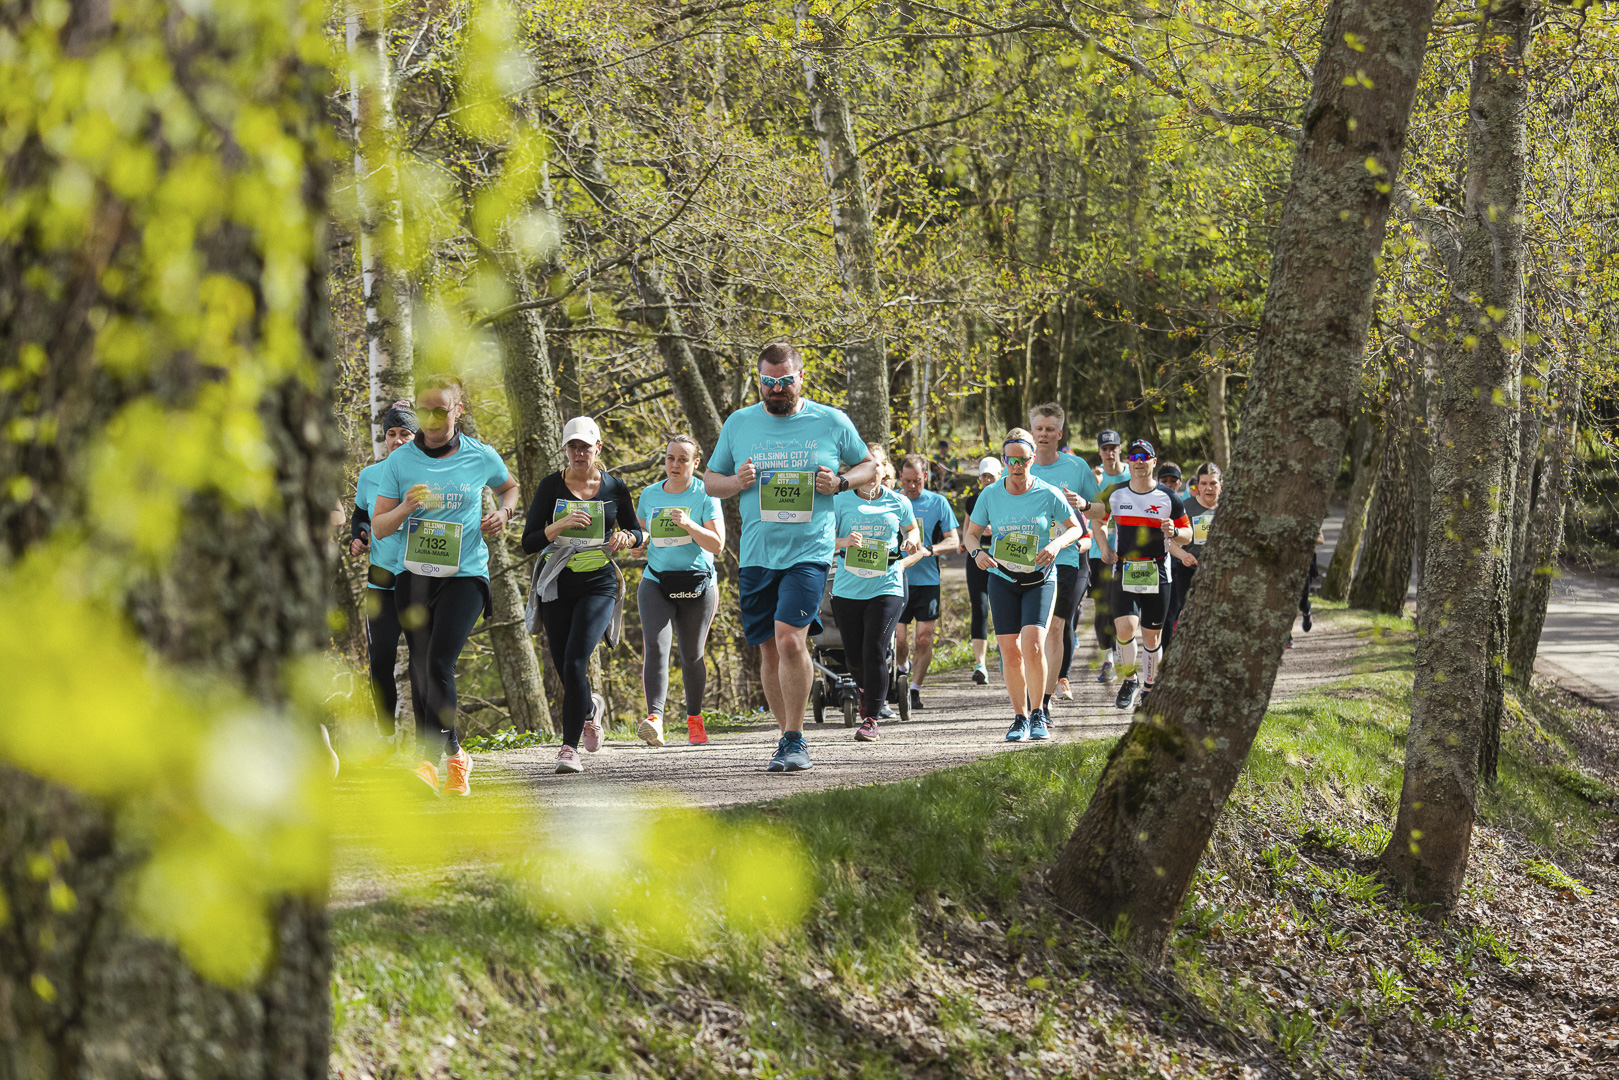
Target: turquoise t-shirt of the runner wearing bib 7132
{"x":457,"y":485}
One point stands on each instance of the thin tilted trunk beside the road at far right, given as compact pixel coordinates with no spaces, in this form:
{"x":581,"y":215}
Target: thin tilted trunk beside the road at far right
{"x":1532,"y":589}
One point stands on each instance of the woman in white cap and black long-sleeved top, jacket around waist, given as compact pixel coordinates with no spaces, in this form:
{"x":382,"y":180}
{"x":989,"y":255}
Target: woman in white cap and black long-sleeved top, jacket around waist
{"x":584,"y":517}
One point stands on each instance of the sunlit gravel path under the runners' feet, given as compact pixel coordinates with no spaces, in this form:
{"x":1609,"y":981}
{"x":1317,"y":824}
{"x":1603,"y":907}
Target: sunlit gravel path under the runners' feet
{"x":962,"y":723}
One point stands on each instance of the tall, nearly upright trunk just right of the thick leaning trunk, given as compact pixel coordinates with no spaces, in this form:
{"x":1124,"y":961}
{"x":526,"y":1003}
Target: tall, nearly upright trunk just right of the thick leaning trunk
{"x":1477,"y":398}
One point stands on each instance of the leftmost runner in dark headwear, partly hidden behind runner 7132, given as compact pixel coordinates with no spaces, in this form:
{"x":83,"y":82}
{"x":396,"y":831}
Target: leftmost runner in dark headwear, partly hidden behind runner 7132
{"x":388,"y":561}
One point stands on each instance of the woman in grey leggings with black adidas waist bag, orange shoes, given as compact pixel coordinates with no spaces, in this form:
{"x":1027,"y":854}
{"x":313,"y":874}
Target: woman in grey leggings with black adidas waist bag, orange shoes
{"x":679,"y":590}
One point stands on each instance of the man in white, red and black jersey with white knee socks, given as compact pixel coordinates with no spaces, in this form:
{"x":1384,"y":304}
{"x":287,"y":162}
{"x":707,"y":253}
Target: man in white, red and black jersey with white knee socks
{"x":1149,"y":517}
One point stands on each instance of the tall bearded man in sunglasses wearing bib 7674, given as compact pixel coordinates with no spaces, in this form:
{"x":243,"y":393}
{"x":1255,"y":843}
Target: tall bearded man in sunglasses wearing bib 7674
{"x":783,"y":457}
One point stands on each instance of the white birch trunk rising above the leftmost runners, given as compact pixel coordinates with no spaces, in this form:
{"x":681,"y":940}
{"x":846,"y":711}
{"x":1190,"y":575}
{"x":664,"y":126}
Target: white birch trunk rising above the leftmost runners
{"x":389,"y":355}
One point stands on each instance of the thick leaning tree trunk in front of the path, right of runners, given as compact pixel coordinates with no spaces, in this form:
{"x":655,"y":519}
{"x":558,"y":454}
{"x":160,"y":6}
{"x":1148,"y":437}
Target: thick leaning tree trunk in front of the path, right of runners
{"x":1137,"y":848}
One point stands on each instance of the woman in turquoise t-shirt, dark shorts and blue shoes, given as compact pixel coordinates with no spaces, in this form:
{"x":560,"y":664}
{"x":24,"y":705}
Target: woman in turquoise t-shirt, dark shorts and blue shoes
{"x":1032,"y":524}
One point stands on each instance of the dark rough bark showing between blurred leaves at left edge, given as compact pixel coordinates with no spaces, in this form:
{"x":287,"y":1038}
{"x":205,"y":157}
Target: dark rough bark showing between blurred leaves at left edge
{"x":242,"y":593}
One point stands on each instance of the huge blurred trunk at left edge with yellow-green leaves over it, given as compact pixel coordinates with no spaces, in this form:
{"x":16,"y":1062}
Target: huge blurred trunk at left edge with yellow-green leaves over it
{"x":239,"y":597}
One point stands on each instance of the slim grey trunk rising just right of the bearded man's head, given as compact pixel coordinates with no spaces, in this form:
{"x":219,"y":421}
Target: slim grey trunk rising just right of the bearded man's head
{"x":854,"y":239}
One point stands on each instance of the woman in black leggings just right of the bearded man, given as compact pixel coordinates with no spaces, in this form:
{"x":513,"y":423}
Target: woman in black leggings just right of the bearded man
{"x":877,"y":530}
